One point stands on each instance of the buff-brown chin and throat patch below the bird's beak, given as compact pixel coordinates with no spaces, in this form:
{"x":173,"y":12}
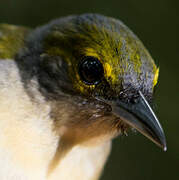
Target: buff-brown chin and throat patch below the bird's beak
{"x":94,"y":123}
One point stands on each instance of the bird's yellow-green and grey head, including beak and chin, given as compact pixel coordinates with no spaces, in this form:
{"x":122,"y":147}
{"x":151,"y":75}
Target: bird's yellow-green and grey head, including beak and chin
{"x":97,"y":76}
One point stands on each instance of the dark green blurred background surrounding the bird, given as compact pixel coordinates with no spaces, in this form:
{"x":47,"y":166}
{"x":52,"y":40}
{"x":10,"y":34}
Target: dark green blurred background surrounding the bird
{"x":156,"y":22}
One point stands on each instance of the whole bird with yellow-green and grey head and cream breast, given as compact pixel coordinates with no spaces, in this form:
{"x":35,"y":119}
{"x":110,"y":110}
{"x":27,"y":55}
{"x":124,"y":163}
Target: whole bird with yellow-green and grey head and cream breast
{"x":67,"y":89}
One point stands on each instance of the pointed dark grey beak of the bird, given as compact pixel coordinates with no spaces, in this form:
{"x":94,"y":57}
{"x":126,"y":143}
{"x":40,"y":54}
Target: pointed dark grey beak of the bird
{"x":140,"y":116}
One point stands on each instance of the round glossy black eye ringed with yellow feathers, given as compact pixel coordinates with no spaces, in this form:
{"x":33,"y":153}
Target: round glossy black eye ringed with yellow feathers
{"x":91,"y":70}
